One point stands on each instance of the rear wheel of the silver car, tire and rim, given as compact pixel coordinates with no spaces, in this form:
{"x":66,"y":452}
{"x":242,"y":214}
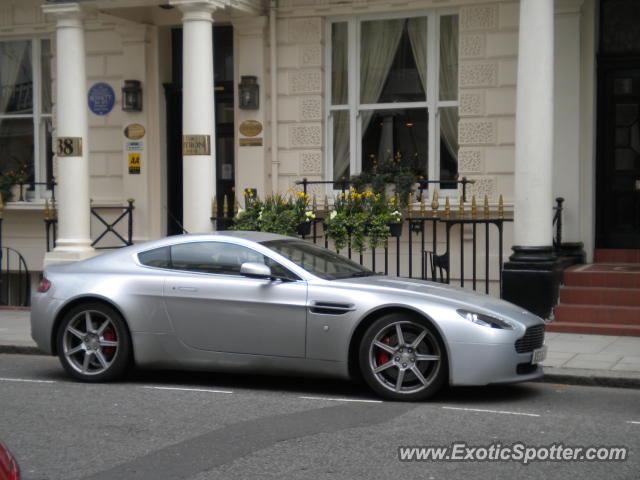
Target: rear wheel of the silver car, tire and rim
{"x":93,"y":343}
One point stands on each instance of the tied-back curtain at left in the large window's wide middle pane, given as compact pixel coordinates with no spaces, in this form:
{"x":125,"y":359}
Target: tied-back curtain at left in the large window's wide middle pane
{"x":379,"y":40}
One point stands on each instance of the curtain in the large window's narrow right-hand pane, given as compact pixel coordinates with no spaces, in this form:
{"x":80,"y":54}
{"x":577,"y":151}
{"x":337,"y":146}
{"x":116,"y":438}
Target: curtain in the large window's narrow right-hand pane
{"x":449,"y":82}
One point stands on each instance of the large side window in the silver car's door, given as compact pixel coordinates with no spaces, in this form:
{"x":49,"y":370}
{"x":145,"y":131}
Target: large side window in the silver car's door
{"x":220,"y":258}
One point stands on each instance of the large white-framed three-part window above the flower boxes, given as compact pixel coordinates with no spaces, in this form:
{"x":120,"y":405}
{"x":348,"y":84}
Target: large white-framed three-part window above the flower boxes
{"x":393,"y":94}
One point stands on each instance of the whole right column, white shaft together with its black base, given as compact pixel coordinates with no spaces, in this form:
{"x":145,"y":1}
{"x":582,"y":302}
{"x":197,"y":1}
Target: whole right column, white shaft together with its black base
{"x":531,"y":277}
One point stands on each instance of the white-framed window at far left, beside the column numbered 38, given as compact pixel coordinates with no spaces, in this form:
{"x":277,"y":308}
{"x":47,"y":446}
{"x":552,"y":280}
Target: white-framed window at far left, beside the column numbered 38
{"x":25,"y":113}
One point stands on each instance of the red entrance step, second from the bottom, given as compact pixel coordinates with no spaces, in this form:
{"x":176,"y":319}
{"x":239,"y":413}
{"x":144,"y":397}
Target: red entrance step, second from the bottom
{"x":600,"y":314}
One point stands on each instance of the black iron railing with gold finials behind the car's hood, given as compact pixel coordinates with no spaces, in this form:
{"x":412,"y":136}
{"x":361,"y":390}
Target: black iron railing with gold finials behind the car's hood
{"x":464,"y":232}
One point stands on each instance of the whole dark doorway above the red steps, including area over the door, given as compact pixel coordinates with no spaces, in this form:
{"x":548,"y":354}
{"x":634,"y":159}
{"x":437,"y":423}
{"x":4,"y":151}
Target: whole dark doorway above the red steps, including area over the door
{"x":618,"y":135}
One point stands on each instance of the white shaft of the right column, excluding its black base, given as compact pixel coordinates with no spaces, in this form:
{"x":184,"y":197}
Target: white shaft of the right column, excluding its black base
{"x":534,"y":126}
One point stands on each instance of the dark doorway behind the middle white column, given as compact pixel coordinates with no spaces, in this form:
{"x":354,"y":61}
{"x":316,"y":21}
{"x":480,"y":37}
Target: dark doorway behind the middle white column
{"x":224,"y":147}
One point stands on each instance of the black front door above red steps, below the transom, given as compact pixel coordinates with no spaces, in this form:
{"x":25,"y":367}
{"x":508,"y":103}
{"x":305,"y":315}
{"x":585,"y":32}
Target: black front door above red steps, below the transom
{"x":618,"y":161}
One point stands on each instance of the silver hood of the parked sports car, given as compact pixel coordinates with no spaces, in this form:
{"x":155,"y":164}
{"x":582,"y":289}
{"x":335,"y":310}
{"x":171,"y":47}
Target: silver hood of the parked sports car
{"x":439,"y":292}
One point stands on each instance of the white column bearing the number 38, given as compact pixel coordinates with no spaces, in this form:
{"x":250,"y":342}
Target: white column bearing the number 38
{"x":72,"y":191}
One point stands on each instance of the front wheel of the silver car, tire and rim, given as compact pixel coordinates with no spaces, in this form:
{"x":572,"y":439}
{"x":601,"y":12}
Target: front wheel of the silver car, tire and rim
{"x":415,"y":367}
